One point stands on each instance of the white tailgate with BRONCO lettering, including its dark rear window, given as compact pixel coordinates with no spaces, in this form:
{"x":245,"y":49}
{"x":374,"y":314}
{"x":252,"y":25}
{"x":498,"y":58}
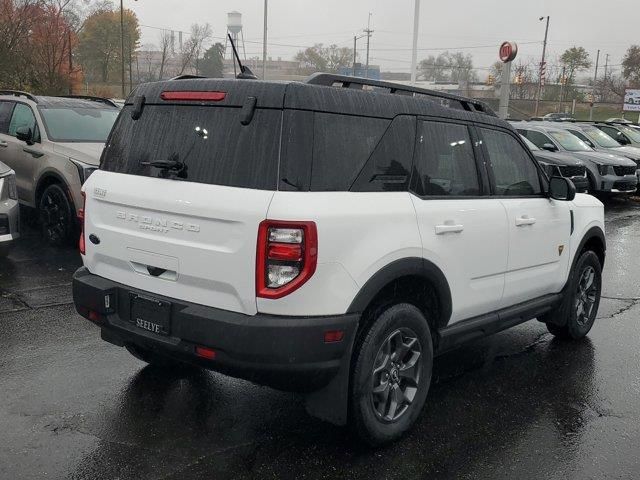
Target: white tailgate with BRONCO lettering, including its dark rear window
{"x":188,"y":233}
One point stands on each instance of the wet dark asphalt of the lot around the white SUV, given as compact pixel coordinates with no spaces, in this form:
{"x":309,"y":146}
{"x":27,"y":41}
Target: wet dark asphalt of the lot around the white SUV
{"x":518,"y":405}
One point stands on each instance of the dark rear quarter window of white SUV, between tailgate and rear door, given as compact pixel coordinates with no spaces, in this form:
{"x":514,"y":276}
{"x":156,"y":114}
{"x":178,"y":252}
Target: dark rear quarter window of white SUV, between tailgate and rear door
{"x":342,"y":144}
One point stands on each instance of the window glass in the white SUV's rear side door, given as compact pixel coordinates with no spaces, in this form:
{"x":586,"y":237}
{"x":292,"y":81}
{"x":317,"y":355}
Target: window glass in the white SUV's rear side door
{"x":444,"y":162}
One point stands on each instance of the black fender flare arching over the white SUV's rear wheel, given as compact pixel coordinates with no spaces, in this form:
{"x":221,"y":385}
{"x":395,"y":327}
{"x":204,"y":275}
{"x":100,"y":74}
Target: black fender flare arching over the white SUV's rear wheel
{"x":411,"y":266}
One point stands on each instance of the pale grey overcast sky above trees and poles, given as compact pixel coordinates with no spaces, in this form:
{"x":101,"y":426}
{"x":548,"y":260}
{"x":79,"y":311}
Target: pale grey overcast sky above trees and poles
{"x":472,"y":26}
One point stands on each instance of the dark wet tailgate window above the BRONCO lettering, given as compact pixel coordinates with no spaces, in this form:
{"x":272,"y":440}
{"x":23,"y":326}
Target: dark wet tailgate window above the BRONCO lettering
{"x":215,"y":147}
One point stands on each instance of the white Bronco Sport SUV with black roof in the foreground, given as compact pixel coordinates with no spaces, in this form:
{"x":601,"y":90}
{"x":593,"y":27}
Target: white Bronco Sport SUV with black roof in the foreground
{"x":328,"y":237}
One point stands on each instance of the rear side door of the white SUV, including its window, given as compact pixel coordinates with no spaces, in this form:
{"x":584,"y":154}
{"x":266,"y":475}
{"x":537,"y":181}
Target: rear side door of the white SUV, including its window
{"x":463,"y":230}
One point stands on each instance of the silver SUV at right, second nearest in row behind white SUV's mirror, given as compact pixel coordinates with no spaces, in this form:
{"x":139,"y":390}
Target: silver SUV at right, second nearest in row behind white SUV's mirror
{"x":607,"y":173}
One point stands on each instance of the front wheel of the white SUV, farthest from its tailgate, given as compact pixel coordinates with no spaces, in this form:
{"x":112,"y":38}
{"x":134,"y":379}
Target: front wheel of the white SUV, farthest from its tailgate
{"x":582,"y":300}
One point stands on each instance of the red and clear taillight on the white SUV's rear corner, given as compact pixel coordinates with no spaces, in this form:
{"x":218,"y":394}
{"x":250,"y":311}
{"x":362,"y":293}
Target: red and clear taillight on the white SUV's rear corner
{"x":286,"y":258}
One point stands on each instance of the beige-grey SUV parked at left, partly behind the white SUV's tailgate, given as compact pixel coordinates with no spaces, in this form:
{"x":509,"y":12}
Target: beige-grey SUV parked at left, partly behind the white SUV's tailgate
{"x":53,"y":144}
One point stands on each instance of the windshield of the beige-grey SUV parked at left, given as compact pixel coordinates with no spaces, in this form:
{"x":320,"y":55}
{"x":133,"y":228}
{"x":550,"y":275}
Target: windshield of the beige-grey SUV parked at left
{"x":84,"y":124}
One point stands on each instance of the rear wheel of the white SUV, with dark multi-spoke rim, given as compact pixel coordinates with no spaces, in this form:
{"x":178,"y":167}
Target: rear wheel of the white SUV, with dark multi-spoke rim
{"x":391,"y":374}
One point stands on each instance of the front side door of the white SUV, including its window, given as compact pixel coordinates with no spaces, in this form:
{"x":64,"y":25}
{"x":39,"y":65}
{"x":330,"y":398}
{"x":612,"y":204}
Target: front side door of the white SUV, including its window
{"x":539,"y":228}
